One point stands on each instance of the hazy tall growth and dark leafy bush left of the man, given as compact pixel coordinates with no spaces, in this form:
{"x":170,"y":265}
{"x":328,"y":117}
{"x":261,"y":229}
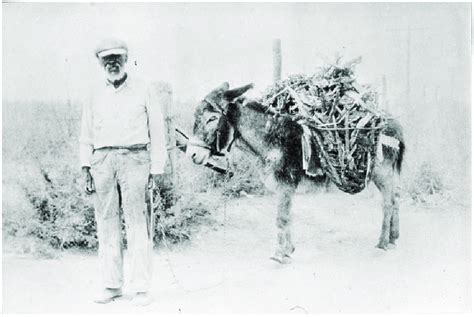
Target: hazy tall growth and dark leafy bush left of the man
{"x":40,"y":154}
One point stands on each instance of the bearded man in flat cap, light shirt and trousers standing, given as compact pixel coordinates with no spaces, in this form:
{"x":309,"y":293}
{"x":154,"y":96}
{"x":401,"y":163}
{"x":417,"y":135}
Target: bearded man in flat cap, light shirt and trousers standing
{"x":122,"y":143}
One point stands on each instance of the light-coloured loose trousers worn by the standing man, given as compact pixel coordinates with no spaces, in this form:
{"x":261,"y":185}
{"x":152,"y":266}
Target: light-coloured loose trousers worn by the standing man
{"x":130,"y":170}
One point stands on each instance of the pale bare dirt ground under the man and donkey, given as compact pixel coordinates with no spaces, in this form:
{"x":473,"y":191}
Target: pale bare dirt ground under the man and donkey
{"x":226,"y":268}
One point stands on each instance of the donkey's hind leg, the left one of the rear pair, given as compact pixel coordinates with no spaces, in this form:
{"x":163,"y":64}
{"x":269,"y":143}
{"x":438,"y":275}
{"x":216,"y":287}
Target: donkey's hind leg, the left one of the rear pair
{"x":383,"y":178}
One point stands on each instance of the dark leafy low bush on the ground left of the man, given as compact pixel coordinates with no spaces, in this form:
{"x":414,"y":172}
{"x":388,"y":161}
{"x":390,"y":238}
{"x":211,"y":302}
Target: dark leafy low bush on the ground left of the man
{"x":58,"y":213}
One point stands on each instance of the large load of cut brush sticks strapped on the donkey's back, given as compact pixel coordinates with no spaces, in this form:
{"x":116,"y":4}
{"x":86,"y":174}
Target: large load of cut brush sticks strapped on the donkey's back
{"x":338,"y":115}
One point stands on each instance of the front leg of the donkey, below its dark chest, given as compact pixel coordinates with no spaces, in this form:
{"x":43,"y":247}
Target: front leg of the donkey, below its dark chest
{"x":285,"y":246}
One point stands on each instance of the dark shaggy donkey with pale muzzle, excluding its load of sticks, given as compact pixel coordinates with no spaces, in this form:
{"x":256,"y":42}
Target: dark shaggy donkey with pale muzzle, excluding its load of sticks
{"x":226,"y":117}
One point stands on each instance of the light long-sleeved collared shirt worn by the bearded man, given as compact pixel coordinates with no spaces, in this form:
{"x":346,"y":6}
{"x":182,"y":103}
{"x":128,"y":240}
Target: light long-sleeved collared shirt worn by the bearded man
{"x":127,"y":116}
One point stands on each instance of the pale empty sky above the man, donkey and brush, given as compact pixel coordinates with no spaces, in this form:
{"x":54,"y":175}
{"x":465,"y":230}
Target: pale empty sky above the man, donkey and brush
{"x":48,"y":47}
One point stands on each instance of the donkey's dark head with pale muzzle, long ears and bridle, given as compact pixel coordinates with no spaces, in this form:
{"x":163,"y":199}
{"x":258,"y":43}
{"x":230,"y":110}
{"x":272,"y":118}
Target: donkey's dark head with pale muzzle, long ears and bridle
{"x":213,"y":130}
